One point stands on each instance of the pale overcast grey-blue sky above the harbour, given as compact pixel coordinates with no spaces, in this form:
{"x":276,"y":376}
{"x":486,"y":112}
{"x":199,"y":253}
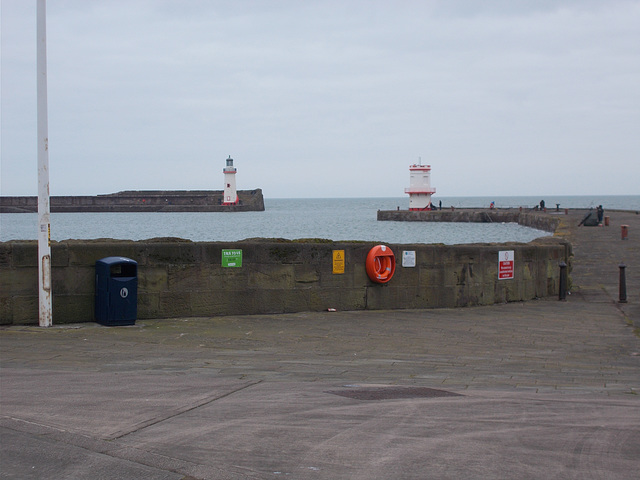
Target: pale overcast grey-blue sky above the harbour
{"x":327,"y":98}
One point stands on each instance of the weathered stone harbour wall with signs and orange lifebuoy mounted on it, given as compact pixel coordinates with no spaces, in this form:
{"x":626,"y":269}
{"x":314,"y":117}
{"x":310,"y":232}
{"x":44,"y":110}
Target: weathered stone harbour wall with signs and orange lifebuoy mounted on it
{"x":182,"y":278}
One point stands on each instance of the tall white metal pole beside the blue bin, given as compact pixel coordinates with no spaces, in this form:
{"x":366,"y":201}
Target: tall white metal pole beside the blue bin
{"x":44,"y":222}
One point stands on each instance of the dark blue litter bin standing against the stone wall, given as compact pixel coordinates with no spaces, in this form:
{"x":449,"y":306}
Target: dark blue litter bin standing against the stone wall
{"x":116,"y":291}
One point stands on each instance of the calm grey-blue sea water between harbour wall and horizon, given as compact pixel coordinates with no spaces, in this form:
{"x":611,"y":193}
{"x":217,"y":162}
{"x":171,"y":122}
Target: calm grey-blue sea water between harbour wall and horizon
{"x":326,"y":218}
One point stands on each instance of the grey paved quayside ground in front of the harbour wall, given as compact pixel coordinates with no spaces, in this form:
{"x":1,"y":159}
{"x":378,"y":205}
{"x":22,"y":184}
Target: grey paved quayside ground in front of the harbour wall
{"x":542,"y":389}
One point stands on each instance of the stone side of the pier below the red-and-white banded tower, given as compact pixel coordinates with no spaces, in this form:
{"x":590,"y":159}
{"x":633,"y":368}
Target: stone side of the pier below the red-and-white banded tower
{"x":539,"y":220}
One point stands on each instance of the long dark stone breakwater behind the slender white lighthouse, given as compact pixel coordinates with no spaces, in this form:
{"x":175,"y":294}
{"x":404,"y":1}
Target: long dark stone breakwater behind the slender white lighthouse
{"x":141,"y":201}
